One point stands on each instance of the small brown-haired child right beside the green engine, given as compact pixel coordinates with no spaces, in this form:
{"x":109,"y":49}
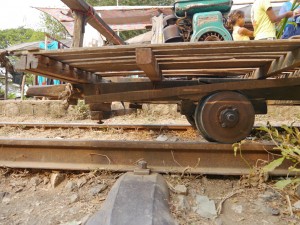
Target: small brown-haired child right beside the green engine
{"x":236,"y":22}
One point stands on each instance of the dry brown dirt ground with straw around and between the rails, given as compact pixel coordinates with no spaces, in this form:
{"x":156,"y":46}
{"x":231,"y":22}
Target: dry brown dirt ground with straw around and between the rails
{"x":34,"y":197}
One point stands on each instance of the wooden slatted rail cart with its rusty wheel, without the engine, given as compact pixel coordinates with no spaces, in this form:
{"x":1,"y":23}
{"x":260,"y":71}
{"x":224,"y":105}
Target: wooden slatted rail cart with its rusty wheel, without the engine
{"x":218,"y":86}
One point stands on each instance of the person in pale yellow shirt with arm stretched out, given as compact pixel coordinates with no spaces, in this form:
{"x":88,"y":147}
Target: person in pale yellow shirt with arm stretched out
{"x":264,"y":18}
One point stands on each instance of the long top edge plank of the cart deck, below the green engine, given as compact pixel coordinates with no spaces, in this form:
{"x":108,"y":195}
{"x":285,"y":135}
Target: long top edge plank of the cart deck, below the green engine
{"x":170,"y":48}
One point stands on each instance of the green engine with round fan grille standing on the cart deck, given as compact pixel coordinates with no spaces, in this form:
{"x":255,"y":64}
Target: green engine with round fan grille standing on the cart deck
{"x":197,"y":20}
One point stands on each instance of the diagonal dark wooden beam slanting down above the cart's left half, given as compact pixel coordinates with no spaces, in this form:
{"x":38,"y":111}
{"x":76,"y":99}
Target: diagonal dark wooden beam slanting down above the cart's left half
{"x":94,"y":20}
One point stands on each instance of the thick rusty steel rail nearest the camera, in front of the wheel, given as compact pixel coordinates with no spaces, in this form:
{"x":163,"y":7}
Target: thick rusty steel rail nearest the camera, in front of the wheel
{"x":164,"y":157}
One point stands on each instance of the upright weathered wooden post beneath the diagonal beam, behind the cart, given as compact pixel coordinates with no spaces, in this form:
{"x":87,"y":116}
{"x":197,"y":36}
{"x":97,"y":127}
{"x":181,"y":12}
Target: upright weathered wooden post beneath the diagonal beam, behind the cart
{"x":78,"y":29}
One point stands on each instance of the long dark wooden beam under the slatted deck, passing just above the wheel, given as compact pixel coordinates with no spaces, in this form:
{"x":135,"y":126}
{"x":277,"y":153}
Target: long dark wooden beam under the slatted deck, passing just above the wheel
{"x":185,"y":92}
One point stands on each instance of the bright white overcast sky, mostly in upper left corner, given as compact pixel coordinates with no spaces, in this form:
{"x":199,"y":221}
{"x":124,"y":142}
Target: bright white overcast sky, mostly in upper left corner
{"x":16,"y":13}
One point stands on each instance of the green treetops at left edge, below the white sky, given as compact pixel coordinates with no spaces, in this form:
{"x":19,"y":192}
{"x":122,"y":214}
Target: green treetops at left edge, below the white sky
{"x":19,"y":35}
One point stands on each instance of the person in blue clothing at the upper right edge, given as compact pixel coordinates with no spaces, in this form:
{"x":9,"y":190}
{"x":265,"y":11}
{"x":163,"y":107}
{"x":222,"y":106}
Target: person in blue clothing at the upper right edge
{"x":293,"y":26}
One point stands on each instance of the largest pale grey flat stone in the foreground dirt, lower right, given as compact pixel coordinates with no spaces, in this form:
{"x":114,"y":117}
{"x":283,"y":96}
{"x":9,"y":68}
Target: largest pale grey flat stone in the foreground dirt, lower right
{"x":205,"y":207}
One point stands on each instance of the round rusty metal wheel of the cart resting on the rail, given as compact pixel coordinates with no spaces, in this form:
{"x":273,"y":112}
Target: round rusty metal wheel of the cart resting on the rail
{"x":225,"y":117}
